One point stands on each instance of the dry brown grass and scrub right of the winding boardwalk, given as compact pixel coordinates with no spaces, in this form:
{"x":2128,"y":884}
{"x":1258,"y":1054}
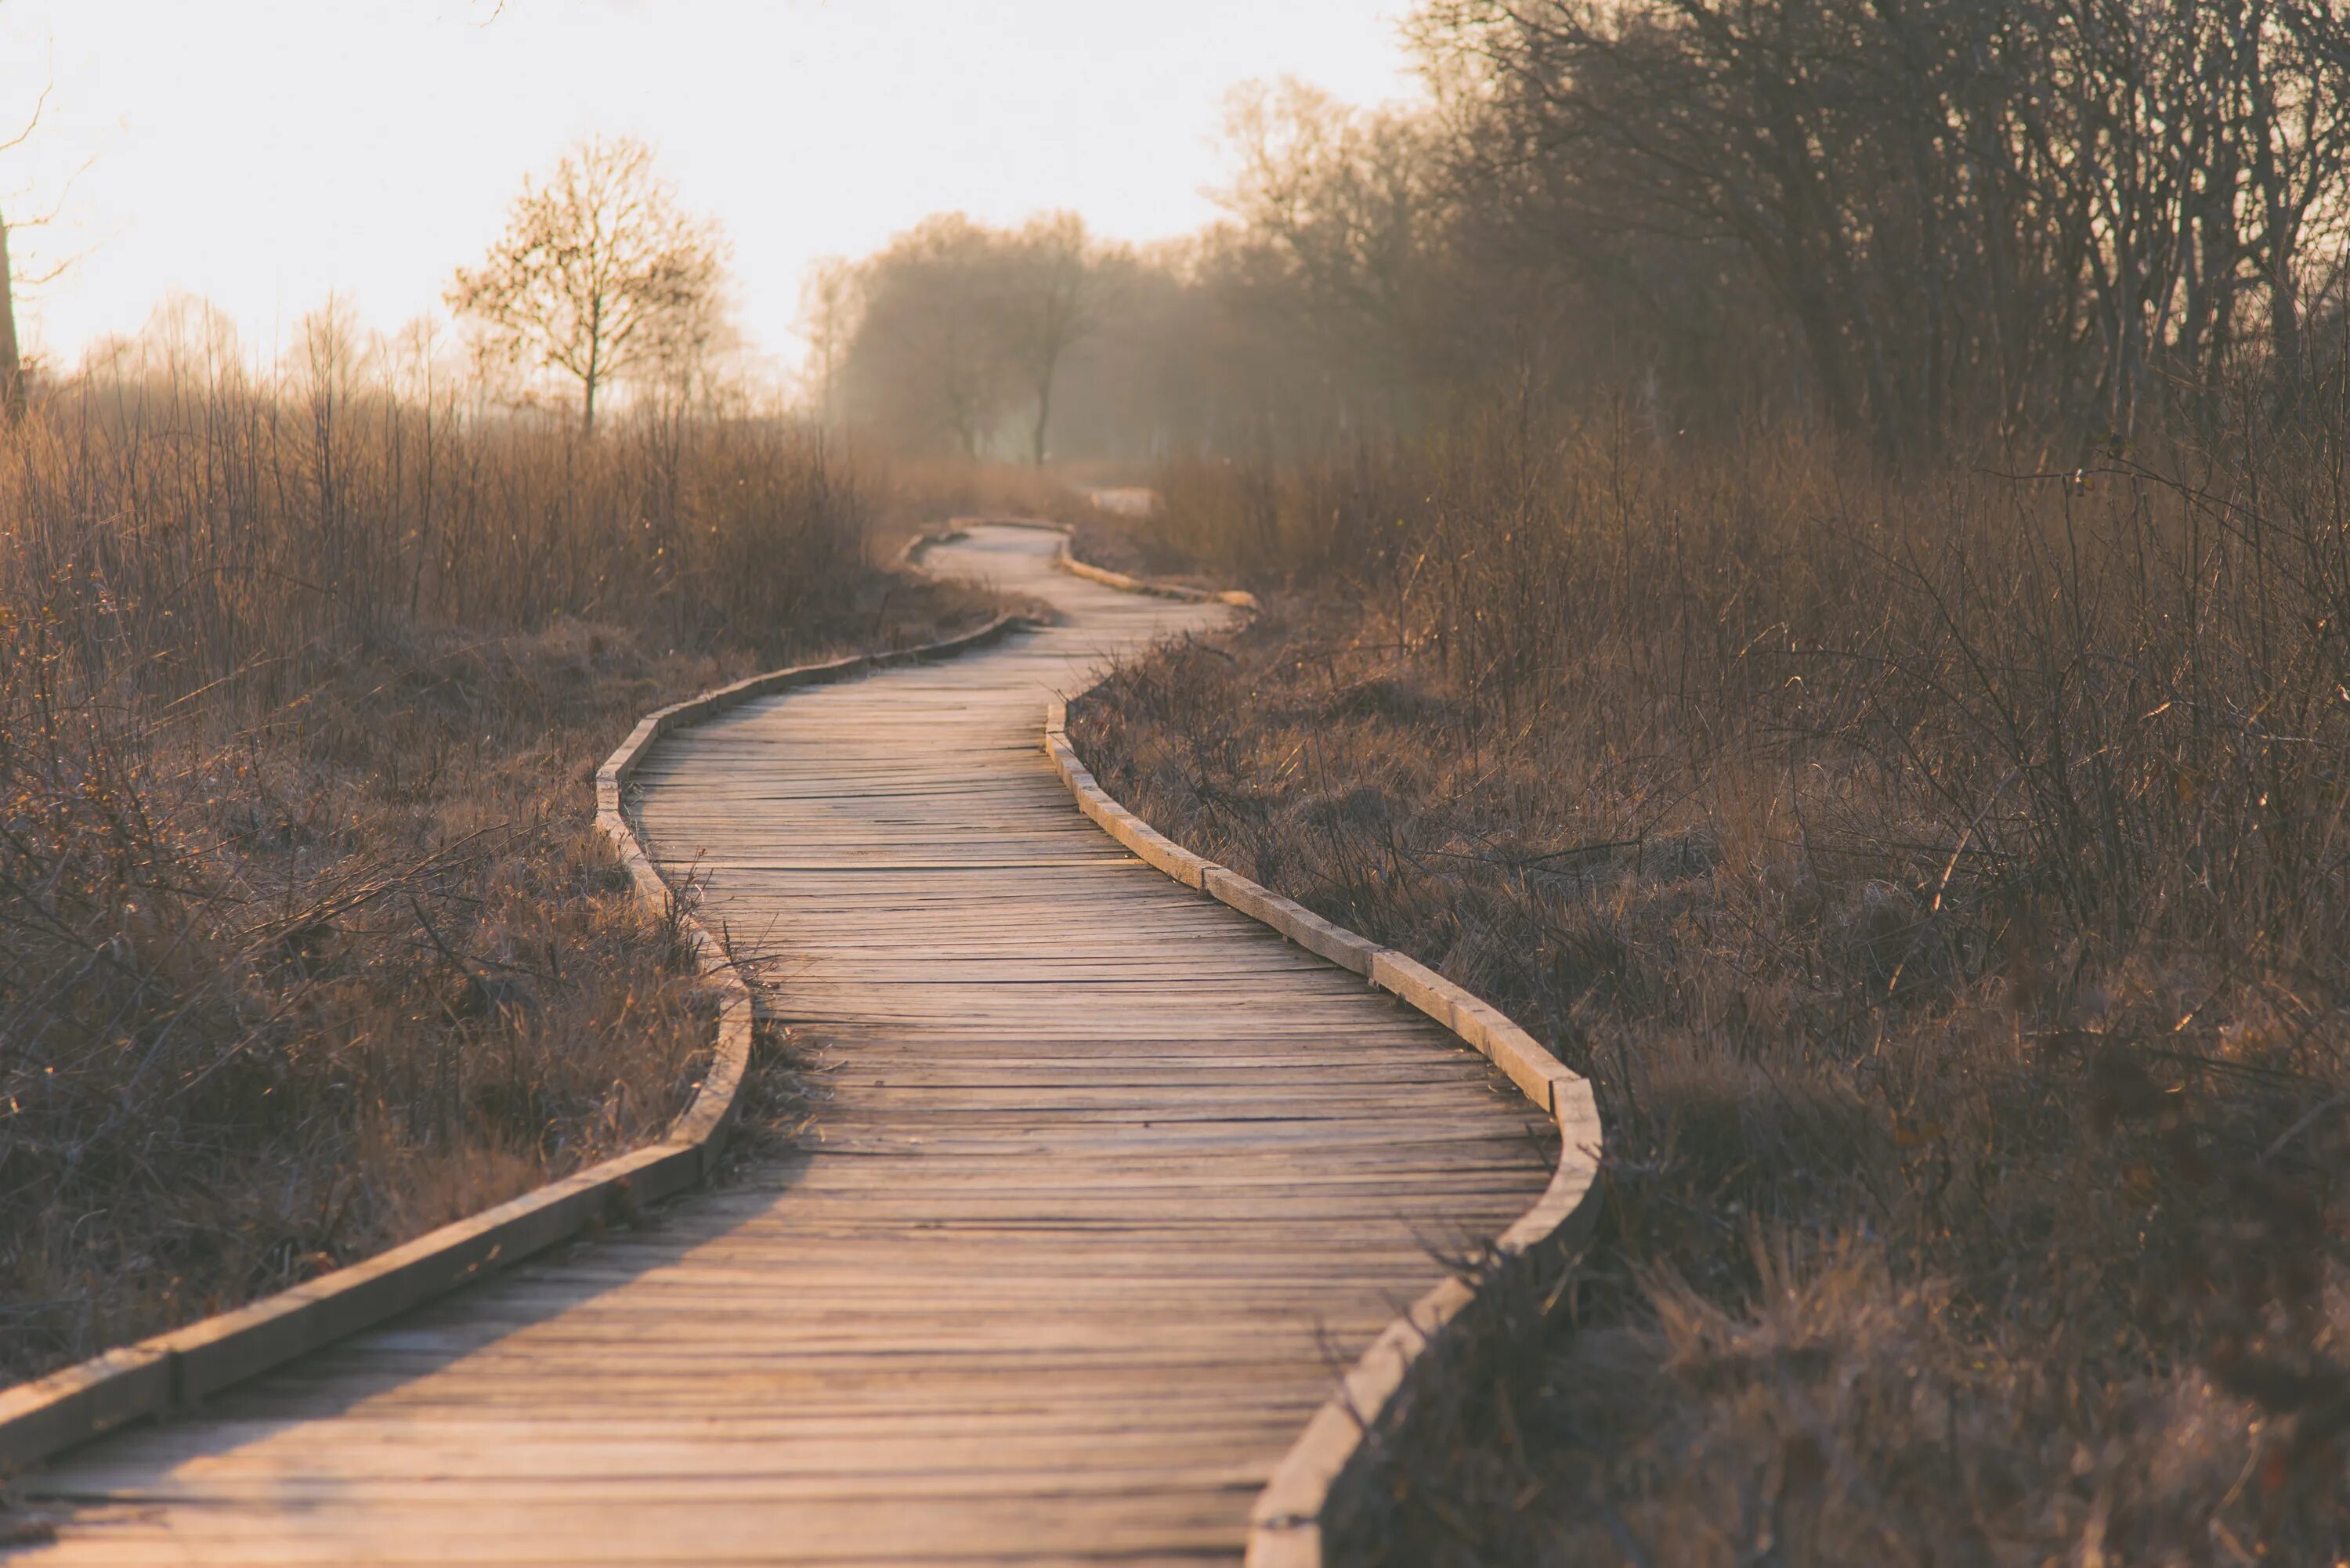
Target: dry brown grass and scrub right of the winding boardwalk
{"x":1945,"y":883}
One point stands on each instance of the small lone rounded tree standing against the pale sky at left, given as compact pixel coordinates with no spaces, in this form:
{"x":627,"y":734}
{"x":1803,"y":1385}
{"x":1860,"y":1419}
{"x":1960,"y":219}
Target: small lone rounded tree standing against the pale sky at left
{"x":600,"y":276}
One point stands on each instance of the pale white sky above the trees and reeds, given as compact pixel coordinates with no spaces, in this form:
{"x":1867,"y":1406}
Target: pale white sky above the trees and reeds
{"x":271,"y":152}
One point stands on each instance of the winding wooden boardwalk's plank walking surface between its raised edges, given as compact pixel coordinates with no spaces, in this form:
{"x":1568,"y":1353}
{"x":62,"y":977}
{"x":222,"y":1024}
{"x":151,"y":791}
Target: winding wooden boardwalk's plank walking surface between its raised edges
{"x":1106,"y":1186}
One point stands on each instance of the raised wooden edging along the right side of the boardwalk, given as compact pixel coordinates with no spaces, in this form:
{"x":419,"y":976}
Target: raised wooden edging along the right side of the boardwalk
{"x":1289,"y":1517}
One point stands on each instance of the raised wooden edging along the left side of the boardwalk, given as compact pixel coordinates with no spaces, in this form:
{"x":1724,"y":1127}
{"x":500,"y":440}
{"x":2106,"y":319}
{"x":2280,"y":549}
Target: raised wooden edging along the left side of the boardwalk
{"x":180,"y":1369}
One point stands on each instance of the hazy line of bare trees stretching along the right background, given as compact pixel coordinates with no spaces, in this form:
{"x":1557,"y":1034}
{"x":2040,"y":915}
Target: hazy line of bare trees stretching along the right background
{"x":1916,"y":222}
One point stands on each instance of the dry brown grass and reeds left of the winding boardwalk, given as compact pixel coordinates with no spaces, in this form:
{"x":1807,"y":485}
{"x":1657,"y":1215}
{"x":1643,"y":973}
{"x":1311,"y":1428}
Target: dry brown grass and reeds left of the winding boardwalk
{"x":307,"y":939}
